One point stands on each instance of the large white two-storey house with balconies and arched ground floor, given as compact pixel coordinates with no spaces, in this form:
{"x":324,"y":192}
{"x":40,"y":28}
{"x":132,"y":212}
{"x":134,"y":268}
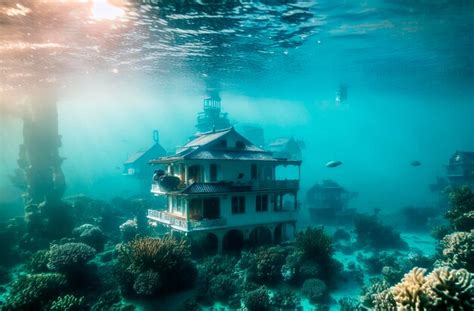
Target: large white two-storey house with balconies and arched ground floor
{"x":223,"y":189}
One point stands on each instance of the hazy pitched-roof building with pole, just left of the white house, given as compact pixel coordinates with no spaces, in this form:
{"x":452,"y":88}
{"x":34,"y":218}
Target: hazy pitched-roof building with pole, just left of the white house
{"x":137,"y":164}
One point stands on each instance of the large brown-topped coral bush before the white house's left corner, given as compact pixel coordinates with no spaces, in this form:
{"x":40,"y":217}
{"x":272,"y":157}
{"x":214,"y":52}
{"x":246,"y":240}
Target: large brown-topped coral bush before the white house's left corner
{"x":165,"y":263}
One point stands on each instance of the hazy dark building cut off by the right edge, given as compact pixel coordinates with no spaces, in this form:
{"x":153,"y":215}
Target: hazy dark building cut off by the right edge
{"x":460,"y":170}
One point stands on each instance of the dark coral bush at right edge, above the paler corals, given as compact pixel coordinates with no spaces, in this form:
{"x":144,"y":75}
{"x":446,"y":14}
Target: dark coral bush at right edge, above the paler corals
{"x":461,"y":213}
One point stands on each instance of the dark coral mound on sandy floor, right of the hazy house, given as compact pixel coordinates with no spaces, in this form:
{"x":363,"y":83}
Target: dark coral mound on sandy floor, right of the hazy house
{"x":373,"y":234}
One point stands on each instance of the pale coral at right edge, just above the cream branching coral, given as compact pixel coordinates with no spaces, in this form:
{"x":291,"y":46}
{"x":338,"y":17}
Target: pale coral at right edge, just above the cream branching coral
{"x":458,"y":250}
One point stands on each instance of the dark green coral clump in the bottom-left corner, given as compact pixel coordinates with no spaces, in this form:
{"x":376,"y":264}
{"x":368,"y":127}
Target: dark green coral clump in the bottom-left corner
{"x":35,"y":291}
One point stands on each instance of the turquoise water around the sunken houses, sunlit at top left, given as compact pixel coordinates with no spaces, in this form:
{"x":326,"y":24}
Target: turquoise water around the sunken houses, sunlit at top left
{"x":374,"y":84}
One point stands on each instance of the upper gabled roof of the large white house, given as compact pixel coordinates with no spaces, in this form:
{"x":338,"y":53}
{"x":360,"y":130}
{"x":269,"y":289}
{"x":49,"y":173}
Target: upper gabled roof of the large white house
{"x":201,"y":148}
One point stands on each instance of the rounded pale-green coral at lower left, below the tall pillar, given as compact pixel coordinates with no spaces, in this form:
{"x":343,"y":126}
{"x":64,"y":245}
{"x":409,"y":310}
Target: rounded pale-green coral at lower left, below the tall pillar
{"x":69,"y":256}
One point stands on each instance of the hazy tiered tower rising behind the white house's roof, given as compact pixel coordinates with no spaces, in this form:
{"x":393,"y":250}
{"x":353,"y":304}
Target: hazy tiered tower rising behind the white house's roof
{"x":212,"y":116}
